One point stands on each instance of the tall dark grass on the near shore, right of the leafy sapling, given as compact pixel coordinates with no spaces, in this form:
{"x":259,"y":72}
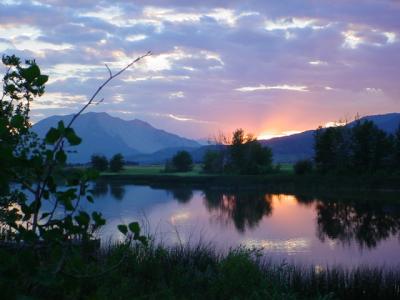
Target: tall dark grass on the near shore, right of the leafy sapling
{"x":202,"y":272}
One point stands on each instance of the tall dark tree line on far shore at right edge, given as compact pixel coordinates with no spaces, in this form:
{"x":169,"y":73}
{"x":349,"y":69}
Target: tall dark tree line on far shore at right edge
{"x":359,"y":147}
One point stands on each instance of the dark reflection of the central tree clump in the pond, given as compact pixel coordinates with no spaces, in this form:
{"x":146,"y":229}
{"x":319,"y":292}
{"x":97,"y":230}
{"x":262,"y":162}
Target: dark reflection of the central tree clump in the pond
{"x":245,"y":209}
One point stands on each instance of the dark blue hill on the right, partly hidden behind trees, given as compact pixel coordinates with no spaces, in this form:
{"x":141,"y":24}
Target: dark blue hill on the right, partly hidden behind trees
{"x":299,"y":146}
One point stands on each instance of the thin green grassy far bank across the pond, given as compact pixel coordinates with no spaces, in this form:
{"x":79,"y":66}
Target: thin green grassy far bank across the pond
{"x":284,"y":179}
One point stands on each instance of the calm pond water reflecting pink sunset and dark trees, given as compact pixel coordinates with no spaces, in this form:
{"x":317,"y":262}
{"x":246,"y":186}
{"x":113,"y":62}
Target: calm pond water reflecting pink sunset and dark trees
{"x":348,"y":230}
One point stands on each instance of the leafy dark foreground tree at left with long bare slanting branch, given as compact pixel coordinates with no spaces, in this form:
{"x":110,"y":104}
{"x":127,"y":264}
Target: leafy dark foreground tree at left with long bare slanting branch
{"x":44,"y":232}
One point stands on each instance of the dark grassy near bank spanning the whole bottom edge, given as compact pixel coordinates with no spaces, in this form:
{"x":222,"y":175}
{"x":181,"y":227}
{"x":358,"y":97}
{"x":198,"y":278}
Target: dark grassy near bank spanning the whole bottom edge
{"x":158,"y":272}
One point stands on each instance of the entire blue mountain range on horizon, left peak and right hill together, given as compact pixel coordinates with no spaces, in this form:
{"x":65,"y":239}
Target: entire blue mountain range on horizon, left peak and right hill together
{"x":140,"y":142}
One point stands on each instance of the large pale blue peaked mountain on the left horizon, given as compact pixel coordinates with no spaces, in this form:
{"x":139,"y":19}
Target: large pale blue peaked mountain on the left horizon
{"x":102,"y":133}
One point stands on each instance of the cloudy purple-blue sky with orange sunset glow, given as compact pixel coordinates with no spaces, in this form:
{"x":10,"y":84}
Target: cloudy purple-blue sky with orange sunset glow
{"x":270,"y":67}
